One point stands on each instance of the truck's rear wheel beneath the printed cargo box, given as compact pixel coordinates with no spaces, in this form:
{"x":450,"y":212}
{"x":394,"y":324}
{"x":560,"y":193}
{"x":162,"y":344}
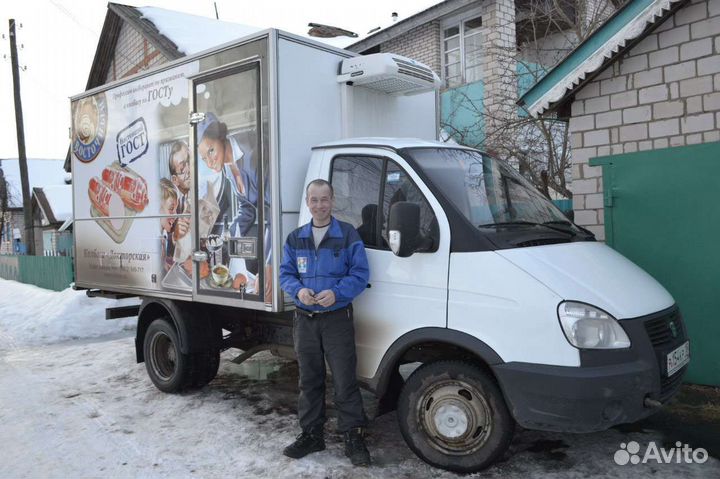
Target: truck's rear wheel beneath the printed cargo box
{"x":169,"y":369}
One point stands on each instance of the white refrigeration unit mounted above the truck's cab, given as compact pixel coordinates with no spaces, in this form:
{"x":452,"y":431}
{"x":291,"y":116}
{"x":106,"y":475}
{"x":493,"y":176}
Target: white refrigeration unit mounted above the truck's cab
{"x":388,"y":73}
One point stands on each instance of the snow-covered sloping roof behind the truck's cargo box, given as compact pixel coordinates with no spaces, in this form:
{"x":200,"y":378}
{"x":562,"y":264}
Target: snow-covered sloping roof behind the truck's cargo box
{"x":182,"y":29}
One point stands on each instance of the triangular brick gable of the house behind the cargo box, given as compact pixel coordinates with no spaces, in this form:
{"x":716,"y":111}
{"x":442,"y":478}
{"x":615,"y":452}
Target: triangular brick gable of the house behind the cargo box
{"x":132,"y":54}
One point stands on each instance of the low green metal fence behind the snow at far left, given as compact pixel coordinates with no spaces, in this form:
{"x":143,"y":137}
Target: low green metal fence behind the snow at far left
{"x":49,"y":272}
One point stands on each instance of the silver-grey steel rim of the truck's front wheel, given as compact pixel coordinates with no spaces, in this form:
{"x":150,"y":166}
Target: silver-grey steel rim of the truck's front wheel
{"x":456,"y":417}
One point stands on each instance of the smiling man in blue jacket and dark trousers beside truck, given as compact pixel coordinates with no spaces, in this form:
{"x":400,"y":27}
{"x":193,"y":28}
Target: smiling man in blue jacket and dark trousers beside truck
{"x":324,"y":267}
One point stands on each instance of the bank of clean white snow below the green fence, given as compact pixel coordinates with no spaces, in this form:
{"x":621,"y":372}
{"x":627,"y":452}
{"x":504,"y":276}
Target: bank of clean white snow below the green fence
{"x":31,"y":315}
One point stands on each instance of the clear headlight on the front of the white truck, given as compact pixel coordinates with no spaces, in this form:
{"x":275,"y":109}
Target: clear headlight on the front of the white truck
{"x":588,"y":327}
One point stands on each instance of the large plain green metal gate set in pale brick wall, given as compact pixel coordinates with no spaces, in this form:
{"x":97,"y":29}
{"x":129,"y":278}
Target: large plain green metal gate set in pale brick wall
{"x":662,"y":212}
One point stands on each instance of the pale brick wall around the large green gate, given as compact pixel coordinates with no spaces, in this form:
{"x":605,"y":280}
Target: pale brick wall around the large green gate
{"x":664,"y":92}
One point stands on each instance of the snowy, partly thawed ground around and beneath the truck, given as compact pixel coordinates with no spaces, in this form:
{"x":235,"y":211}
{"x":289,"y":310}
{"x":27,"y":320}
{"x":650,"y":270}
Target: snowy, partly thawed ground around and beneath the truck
{"x":85,"y":408}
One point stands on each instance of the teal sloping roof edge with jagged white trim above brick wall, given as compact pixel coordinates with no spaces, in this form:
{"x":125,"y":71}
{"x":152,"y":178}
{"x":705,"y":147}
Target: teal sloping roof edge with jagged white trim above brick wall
{"x":628,"y":25}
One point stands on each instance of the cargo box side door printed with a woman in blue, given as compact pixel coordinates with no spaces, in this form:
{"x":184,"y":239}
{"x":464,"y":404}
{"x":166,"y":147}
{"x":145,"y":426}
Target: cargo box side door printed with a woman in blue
{"x":230,"y":211}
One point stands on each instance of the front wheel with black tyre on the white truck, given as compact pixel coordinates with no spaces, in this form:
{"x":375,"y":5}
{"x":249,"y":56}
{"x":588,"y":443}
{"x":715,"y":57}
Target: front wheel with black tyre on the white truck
{"x":453,"y":416}
